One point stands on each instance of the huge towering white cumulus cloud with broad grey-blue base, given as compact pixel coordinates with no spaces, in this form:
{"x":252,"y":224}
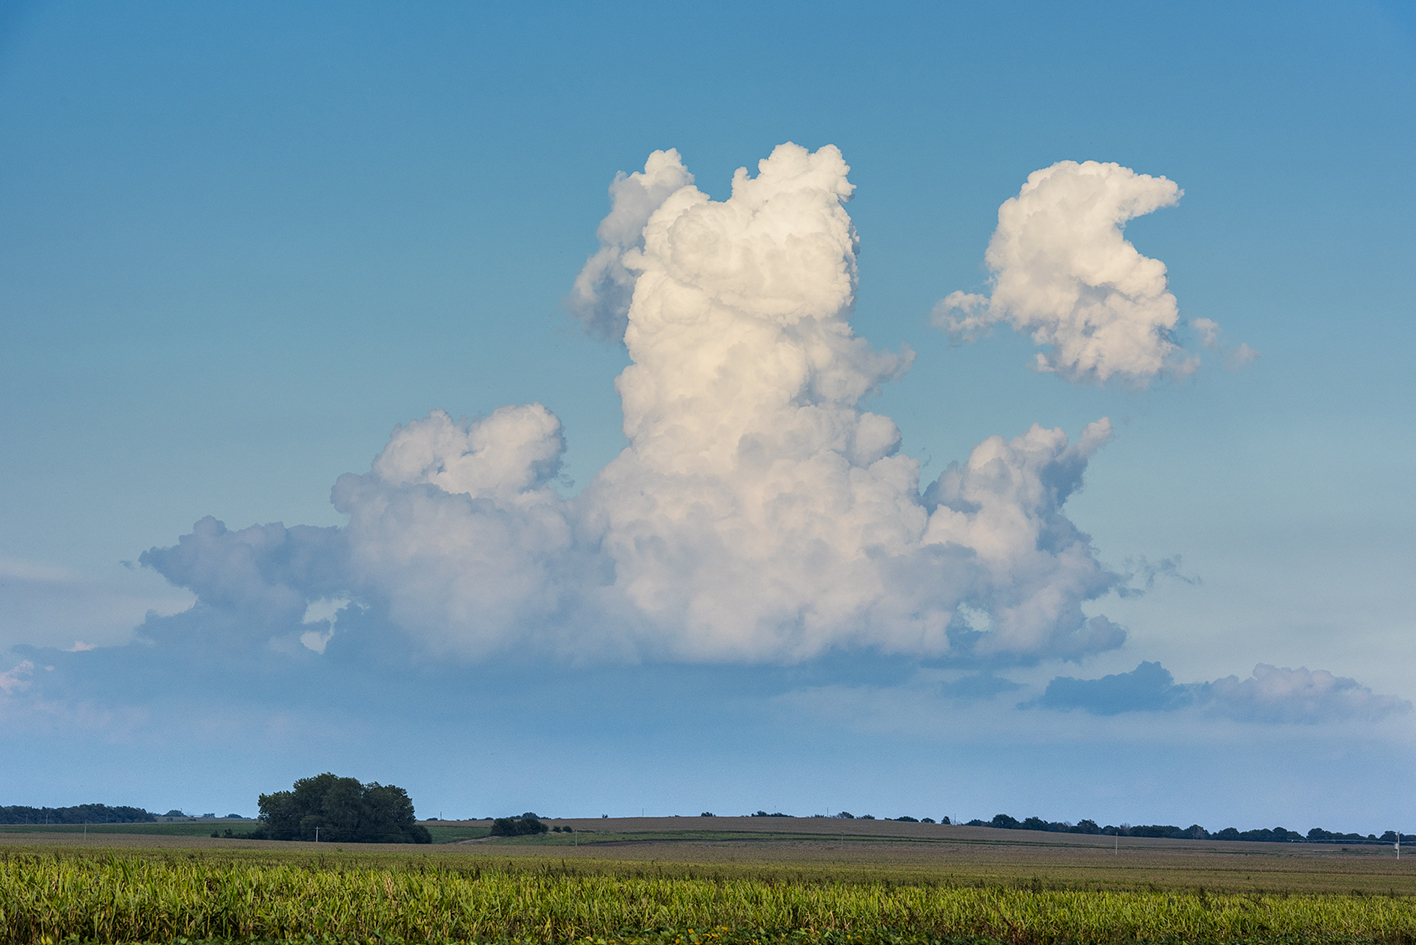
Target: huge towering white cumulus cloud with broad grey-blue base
{"x":760,"y":512}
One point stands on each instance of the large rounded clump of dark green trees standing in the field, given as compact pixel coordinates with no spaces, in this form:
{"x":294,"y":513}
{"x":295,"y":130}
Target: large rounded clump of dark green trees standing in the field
{"x":343,"y":810}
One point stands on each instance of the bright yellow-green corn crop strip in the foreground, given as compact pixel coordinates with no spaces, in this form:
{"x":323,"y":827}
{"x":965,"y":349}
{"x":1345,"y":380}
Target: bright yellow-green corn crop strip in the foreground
{"x":165,"y":899}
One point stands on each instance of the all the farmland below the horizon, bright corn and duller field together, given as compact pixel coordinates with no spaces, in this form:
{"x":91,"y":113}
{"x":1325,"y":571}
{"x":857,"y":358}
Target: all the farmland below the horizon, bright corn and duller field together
{"x":682,"y":882}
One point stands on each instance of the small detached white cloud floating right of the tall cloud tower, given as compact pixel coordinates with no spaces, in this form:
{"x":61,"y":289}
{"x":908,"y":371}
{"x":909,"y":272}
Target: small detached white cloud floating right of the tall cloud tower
{"x":1064,"y":271}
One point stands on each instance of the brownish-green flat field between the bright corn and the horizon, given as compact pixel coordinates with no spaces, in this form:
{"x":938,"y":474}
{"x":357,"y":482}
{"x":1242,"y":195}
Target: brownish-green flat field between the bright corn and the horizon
{"x":833,"y":851}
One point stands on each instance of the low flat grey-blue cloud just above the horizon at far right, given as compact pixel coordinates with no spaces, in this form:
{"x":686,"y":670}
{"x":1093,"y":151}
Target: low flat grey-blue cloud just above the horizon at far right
{"x":1271,"y":695}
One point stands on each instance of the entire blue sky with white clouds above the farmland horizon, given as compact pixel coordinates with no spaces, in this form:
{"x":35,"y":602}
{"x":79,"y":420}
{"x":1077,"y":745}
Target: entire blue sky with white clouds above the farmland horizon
{"x":932,"y":410}
